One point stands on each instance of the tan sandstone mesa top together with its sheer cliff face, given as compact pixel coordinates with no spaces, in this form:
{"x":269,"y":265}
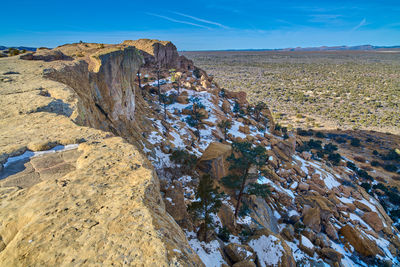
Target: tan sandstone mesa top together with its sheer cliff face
{"x":106,"y":208}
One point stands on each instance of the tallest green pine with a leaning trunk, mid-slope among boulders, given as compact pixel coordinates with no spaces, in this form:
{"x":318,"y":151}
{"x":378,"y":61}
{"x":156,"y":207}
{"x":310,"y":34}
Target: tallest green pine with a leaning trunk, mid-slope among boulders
{"x":243,"y":157}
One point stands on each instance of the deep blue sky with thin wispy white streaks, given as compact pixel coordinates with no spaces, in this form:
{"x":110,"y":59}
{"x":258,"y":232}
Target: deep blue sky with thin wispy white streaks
{"x":202,"y":25}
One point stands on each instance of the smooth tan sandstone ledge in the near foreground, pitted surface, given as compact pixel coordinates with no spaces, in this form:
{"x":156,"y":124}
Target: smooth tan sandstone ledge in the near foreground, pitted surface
{"x":61,"y":221}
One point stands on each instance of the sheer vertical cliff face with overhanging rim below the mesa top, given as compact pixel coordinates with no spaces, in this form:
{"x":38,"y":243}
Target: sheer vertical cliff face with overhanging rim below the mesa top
{"x":105,"y":84}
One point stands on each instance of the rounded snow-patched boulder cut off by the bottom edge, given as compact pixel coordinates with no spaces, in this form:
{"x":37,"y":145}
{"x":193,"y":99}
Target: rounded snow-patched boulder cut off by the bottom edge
{"x":271,"y":249}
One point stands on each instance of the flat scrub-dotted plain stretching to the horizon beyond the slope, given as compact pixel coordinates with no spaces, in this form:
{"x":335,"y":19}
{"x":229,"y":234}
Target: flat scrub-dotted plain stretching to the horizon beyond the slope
{"x":348,"y":89}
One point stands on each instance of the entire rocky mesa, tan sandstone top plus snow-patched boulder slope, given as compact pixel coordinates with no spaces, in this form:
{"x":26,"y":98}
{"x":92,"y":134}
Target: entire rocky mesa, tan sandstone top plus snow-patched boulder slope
{"x":119,"y":197}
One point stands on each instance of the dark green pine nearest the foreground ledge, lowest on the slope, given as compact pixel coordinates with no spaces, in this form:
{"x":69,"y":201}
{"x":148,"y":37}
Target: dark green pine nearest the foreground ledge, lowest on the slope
{"x":209,"y":201}
